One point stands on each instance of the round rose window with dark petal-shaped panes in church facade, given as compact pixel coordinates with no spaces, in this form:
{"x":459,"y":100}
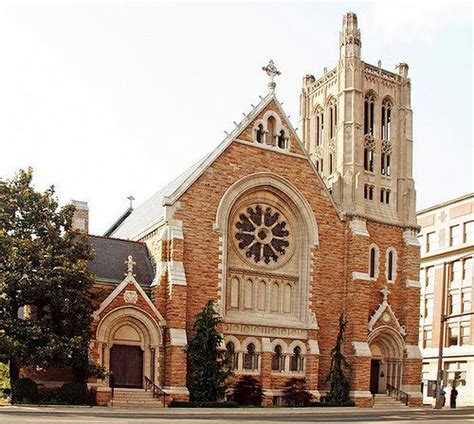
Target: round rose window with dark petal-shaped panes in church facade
{"x":261,"y":234}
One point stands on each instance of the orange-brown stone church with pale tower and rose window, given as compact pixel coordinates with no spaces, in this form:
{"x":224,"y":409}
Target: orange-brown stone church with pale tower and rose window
{"x":284,"y":234}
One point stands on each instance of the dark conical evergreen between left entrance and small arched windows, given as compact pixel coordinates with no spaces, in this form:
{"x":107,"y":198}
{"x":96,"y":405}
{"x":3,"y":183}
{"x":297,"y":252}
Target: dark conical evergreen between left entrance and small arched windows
{"x":207,"y":367}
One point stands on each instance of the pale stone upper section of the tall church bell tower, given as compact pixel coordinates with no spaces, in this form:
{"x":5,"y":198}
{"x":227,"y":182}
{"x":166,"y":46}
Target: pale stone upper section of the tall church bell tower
{"x":356,"y":122}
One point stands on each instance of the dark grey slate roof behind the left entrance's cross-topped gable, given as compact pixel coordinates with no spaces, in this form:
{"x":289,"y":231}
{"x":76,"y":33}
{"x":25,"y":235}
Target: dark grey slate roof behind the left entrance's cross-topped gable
{"x":110,"y":257}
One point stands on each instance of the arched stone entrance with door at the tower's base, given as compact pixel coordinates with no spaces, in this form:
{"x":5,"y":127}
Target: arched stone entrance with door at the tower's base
{"x":386,"y":347}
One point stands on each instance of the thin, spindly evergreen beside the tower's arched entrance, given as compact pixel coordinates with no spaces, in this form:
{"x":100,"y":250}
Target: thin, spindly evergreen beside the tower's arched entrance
{"x":339,"y":392}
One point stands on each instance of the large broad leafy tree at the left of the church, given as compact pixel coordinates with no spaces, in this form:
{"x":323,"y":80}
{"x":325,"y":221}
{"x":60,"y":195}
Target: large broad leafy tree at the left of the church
{"x":45,"y":304}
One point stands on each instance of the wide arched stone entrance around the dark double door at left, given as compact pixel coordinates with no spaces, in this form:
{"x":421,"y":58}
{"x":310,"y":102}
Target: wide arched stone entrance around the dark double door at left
{"x":129,"y":340}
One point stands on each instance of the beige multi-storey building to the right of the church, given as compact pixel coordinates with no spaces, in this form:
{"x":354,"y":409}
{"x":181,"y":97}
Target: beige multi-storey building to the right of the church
{"x":447,"y":243}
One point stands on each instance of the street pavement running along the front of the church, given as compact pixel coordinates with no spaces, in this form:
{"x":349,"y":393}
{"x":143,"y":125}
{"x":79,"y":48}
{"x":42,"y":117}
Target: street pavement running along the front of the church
{"x":96,"y":415}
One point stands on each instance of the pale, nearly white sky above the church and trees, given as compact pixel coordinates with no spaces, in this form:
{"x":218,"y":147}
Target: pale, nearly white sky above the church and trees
{"x":109,"y":99}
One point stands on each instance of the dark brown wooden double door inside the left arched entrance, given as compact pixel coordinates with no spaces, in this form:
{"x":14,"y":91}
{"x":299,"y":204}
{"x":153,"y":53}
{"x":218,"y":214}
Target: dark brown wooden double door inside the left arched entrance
{"x":126,"y":364}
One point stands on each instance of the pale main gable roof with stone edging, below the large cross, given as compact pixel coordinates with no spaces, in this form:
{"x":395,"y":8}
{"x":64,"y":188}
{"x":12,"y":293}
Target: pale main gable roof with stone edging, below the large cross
{"x":151,"y":211}
